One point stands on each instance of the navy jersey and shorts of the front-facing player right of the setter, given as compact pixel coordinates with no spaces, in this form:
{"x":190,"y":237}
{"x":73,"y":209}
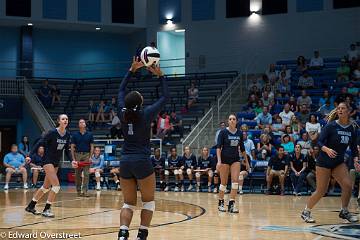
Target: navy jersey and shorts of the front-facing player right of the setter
{"x":229,"y":144}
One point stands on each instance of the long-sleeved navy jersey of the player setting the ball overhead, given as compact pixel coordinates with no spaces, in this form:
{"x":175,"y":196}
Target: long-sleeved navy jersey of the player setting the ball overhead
{"x":137,"y":135}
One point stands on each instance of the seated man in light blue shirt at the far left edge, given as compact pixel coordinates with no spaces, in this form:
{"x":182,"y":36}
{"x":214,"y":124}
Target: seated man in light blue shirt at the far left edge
{"x":14,"y":162}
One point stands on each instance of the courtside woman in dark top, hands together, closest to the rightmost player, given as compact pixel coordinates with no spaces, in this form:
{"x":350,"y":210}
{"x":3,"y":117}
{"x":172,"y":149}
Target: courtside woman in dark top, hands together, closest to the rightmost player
{"x":298,"y":164}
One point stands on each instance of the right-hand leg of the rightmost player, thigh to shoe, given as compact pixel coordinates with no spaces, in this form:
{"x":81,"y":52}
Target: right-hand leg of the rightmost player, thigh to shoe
{"x":341,"y":174}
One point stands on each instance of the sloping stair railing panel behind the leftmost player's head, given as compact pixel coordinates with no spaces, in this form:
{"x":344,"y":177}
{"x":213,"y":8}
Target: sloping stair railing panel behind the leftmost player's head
{"x":40,"y":114}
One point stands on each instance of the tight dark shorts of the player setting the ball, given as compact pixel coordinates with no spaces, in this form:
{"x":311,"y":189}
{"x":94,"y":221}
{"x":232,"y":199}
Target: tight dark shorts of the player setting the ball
{"x":138,"y":169}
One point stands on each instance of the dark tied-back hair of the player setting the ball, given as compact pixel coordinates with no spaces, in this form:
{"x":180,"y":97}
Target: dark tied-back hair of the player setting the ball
{"x":133,"y":102}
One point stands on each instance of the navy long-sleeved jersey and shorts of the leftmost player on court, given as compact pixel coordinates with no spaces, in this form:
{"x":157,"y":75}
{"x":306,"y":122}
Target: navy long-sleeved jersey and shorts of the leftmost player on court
{"x":54,"y":144}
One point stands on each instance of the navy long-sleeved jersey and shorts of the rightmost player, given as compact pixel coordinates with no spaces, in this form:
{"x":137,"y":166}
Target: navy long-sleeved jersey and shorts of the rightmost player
{"x":338,"y":138}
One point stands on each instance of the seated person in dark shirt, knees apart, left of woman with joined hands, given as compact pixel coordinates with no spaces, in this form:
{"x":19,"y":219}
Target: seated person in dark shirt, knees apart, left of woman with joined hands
{"x":277,"y":167}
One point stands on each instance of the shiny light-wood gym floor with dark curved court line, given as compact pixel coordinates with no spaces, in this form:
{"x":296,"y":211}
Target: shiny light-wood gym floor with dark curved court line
{"x":178,"y":216}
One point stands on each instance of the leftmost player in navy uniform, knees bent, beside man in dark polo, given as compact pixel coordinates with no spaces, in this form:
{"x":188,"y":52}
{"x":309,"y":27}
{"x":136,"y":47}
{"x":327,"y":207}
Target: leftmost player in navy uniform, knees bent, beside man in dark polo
{"x":54,"y":142}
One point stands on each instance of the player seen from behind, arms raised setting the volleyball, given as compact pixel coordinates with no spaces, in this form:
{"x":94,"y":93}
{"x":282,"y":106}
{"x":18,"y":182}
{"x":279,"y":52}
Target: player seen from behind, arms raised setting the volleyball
{"x":135,"y":166}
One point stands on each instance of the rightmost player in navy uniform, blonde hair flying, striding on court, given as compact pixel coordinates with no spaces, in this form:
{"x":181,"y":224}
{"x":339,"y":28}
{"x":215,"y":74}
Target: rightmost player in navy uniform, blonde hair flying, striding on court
{"x":334,"y":139}
